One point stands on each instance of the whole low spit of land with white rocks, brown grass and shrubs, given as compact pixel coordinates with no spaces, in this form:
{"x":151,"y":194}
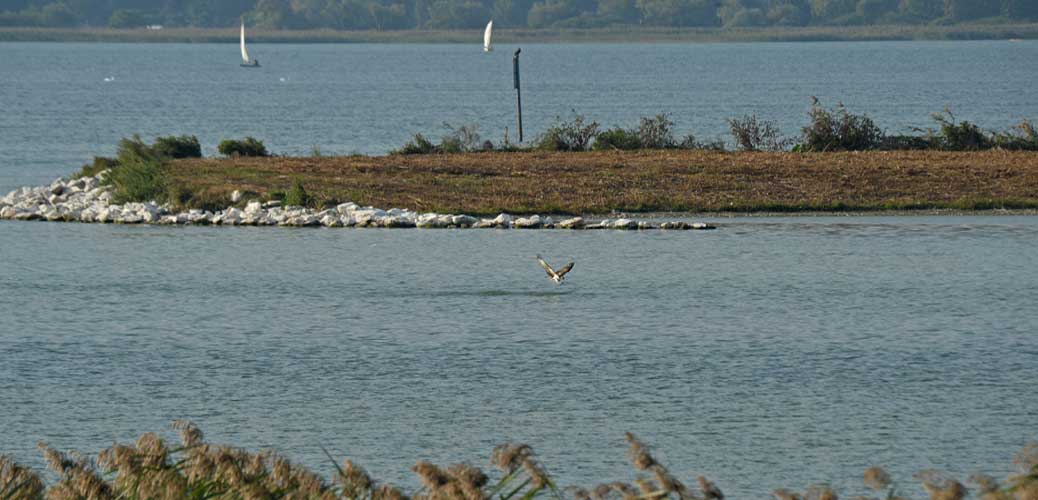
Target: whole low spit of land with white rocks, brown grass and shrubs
{"x":572,"y":177}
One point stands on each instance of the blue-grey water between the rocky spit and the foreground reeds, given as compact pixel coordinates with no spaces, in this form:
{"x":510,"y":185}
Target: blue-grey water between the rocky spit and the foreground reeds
{"x":769,"y":353}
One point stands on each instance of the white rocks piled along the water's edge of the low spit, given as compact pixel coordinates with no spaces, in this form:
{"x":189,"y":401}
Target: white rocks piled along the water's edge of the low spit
{"x":89,"y":200}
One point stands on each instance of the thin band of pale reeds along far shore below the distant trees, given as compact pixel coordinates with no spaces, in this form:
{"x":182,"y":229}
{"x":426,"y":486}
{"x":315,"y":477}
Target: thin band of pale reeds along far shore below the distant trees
{"x":617,"y":35}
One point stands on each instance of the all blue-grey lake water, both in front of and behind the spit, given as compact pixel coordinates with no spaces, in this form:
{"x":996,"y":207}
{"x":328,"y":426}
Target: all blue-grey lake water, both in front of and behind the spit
{"x":770,"y":353}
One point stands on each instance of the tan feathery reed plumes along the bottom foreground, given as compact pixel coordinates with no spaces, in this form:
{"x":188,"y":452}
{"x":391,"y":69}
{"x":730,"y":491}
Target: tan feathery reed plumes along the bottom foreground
{"x":195,"y":469}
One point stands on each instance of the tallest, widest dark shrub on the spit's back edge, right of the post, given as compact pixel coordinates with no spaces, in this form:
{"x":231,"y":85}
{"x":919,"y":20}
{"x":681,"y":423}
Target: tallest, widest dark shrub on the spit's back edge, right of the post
{"x":837,"y":129}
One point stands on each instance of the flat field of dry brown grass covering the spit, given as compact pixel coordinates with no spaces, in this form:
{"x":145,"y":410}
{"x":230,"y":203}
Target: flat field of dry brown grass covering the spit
{"x":646,"y":181}
